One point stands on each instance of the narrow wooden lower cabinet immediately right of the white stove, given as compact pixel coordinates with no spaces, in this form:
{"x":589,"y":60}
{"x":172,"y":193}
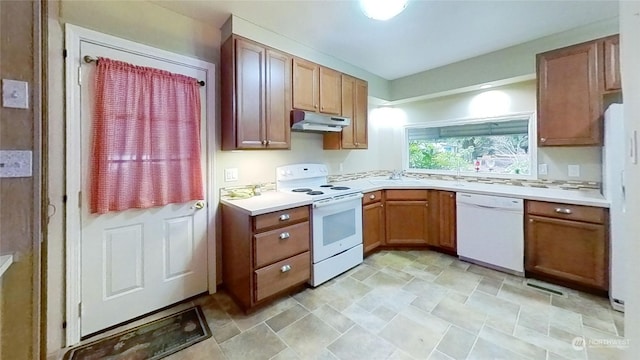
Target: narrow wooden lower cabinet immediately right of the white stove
{"x":372,"y":221}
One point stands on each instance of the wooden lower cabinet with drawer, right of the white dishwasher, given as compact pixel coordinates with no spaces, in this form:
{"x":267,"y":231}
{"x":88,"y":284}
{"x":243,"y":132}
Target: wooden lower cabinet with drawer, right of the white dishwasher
{"x":568,"y":244}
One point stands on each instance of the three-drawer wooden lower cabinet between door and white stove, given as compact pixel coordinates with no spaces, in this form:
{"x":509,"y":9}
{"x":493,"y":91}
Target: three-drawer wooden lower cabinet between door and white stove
{"x":264,"y":255}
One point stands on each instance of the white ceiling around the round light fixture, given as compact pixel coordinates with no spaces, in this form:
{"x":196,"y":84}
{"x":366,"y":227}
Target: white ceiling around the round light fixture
{"x":428,"y":34}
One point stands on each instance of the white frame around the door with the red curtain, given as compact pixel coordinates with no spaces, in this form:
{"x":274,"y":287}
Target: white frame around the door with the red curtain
{"x":74,"y":35}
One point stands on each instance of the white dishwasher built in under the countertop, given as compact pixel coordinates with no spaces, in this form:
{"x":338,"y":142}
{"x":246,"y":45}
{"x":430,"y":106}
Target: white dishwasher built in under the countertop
{"x":490,"y":231}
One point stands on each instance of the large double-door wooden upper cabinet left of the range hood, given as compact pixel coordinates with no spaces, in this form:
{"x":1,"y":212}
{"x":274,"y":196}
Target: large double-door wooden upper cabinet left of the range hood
{"x":256,"y":96}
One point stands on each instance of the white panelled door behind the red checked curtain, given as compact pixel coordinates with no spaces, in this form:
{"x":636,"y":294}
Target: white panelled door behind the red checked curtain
{"x":135,"y":261}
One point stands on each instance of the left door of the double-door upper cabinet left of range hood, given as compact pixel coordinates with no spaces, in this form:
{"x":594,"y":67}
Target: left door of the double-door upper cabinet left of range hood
{"x":250,"y":94}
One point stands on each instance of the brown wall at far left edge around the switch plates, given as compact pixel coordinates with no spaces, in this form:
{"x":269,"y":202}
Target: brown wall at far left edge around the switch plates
{"x":20,"y":197}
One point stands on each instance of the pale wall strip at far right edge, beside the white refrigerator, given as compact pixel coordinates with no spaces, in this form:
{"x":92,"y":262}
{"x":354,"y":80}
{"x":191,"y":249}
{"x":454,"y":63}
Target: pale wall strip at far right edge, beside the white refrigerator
{"x":630,"y":58}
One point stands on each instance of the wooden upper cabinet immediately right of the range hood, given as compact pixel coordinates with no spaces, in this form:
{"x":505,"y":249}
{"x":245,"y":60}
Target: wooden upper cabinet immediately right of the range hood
{"x":355,"y":94}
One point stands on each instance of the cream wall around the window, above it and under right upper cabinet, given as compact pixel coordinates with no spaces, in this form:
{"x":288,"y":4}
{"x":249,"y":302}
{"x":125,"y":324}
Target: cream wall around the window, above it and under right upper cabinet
{"x":517,"y":98}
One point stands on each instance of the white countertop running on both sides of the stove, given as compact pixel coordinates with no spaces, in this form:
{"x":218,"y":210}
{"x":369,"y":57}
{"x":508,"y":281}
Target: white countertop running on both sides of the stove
{"x":276,"y":201}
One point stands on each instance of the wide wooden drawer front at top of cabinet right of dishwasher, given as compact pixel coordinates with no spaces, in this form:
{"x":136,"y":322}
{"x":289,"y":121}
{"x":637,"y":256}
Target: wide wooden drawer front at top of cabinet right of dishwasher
{"x":569,"y":212}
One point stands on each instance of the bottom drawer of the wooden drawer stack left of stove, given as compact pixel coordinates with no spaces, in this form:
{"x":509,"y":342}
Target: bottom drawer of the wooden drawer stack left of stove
{"x":274,"y":278}
